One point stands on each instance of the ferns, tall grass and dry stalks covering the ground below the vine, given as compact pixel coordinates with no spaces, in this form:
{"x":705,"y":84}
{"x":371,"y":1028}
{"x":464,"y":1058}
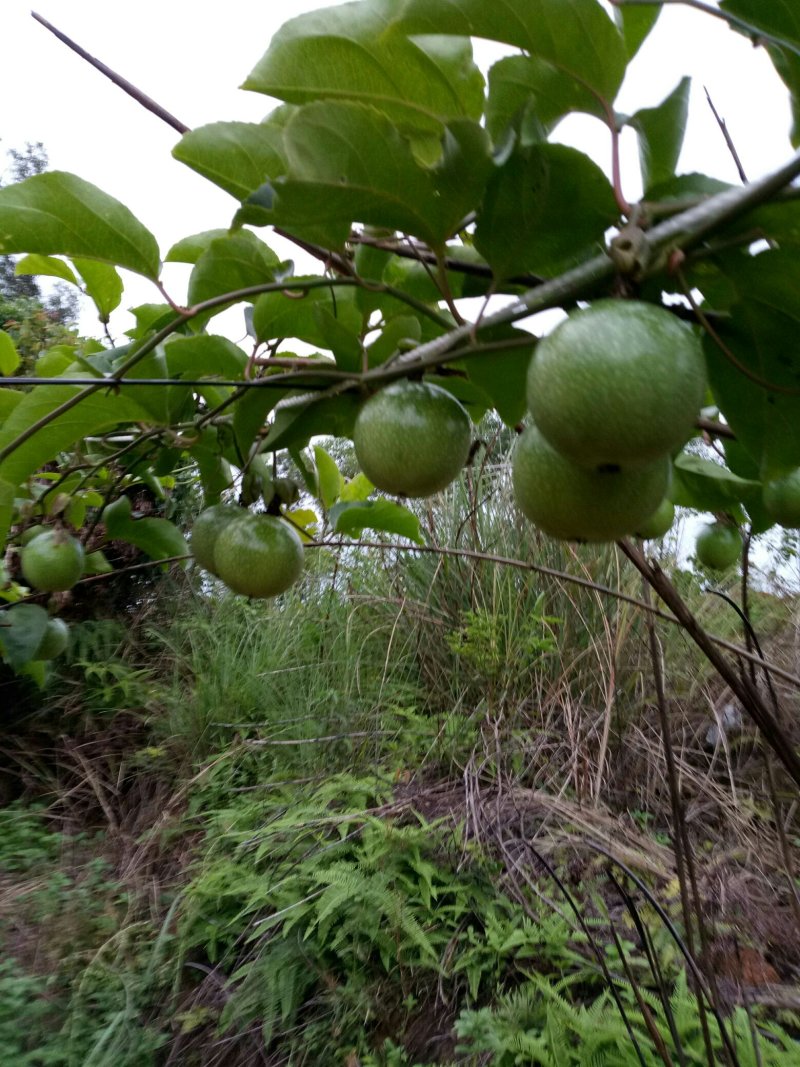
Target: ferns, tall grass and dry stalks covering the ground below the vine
{"x":415,"y":813}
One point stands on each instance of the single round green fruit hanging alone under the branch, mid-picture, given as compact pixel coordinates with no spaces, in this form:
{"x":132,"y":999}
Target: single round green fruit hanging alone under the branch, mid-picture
{"x":412,"y":439}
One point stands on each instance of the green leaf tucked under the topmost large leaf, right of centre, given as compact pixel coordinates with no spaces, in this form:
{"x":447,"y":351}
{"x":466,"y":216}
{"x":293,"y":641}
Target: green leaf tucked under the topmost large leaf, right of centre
{"x":525,"y":85}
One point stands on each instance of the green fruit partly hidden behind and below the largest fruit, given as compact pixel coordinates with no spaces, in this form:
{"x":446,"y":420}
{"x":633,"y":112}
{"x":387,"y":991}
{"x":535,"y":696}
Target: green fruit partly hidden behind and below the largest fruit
{"x":574,"y":504}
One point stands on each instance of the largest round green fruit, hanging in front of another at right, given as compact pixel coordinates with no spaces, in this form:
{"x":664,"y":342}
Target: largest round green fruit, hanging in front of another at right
{"x":619,"y":383}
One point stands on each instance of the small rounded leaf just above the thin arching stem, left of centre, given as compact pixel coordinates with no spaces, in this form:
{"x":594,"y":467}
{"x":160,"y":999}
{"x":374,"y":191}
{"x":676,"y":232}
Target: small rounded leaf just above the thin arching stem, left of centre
{"x":232,"y":263}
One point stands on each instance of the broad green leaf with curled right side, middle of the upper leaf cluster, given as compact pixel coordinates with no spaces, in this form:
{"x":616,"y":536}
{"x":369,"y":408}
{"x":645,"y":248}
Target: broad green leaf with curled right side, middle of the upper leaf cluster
{"x":333,"y":182}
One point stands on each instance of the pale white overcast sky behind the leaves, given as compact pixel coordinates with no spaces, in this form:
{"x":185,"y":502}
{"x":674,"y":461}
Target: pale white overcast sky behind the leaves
{"x":191,"y":56}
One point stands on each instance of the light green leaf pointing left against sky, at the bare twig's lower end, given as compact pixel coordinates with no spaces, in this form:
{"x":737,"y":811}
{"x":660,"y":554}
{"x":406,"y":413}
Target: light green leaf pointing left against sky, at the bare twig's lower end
{"x":239,"y":157}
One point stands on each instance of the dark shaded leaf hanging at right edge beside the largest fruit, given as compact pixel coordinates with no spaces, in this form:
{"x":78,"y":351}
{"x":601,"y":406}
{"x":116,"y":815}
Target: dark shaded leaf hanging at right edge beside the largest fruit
{"x":763,"y":335}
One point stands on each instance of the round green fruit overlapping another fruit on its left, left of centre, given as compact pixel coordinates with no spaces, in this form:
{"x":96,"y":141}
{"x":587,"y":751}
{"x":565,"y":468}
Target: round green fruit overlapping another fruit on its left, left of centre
{"x":259,"y":556}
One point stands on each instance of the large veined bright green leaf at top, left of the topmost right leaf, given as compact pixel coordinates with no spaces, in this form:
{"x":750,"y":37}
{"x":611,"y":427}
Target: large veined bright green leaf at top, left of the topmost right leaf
{"x":351,"y":53}
